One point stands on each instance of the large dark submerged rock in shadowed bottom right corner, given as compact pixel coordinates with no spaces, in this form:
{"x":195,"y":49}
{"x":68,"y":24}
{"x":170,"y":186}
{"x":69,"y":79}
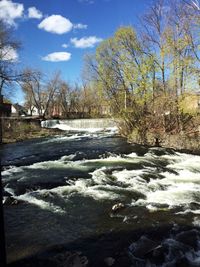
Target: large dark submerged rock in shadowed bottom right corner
{"x":176,"y":250}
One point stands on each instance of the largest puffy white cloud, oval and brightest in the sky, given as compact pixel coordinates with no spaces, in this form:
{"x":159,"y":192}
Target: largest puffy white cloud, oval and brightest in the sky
{"x":56,"y":24}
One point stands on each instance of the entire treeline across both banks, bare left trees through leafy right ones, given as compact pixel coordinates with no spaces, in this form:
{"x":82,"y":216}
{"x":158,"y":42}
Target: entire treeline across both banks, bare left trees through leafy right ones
{"x":148,"y":76}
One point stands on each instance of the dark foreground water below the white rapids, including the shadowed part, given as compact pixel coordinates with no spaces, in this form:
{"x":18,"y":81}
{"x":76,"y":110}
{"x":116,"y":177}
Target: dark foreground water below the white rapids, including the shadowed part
{"x":61,"y":236}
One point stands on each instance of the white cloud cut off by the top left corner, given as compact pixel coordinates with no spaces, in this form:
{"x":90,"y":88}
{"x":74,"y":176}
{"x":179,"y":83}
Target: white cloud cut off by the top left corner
{"x":9,"y":11}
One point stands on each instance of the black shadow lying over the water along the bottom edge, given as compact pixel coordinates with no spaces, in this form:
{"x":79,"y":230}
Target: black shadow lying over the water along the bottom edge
{"x":117,"y":246}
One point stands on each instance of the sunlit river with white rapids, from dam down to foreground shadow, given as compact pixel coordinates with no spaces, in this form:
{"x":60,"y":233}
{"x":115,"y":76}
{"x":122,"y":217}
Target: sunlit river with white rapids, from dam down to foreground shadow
{"x":65,"y":187}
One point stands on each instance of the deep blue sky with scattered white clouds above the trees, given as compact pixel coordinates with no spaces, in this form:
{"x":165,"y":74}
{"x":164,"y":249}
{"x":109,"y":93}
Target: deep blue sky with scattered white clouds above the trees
{"x":55,"y":34}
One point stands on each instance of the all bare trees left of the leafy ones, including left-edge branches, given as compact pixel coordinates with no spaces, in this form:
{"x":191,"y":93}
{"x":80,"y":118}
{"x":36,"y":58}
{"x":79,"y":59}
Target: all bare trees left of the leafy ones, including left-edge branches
{"x":46,"y":96}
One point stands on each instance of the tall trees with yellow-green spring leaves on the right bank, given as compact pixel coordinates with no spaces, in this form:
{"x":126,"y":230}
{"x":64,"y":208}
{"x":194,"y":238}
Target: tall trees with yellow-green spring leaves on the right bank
{"x":148,"y":73}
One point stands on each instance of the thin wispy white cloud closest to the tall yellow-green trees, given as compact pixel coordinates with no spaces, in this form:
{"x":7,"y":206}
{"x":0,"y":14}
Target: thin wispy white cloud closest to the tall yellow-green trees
{"x":85,"y":42}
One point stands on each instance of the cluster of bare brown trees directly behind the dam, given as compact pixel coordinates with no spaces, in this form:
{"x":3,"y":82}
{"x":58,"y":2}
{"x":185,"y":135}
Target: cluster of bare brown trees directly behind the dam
{"x":54,"y":97}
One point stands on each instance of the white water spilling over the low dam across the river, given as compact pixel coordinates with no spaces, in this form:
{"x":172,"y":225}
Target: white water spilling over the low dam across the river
{"x":81,"y":124}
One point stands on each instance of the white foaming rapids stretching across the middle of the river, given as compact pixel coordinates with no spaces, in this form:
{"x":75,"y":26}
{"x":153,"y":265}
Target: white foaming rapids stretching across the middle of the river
{"x":114,"y":176}
